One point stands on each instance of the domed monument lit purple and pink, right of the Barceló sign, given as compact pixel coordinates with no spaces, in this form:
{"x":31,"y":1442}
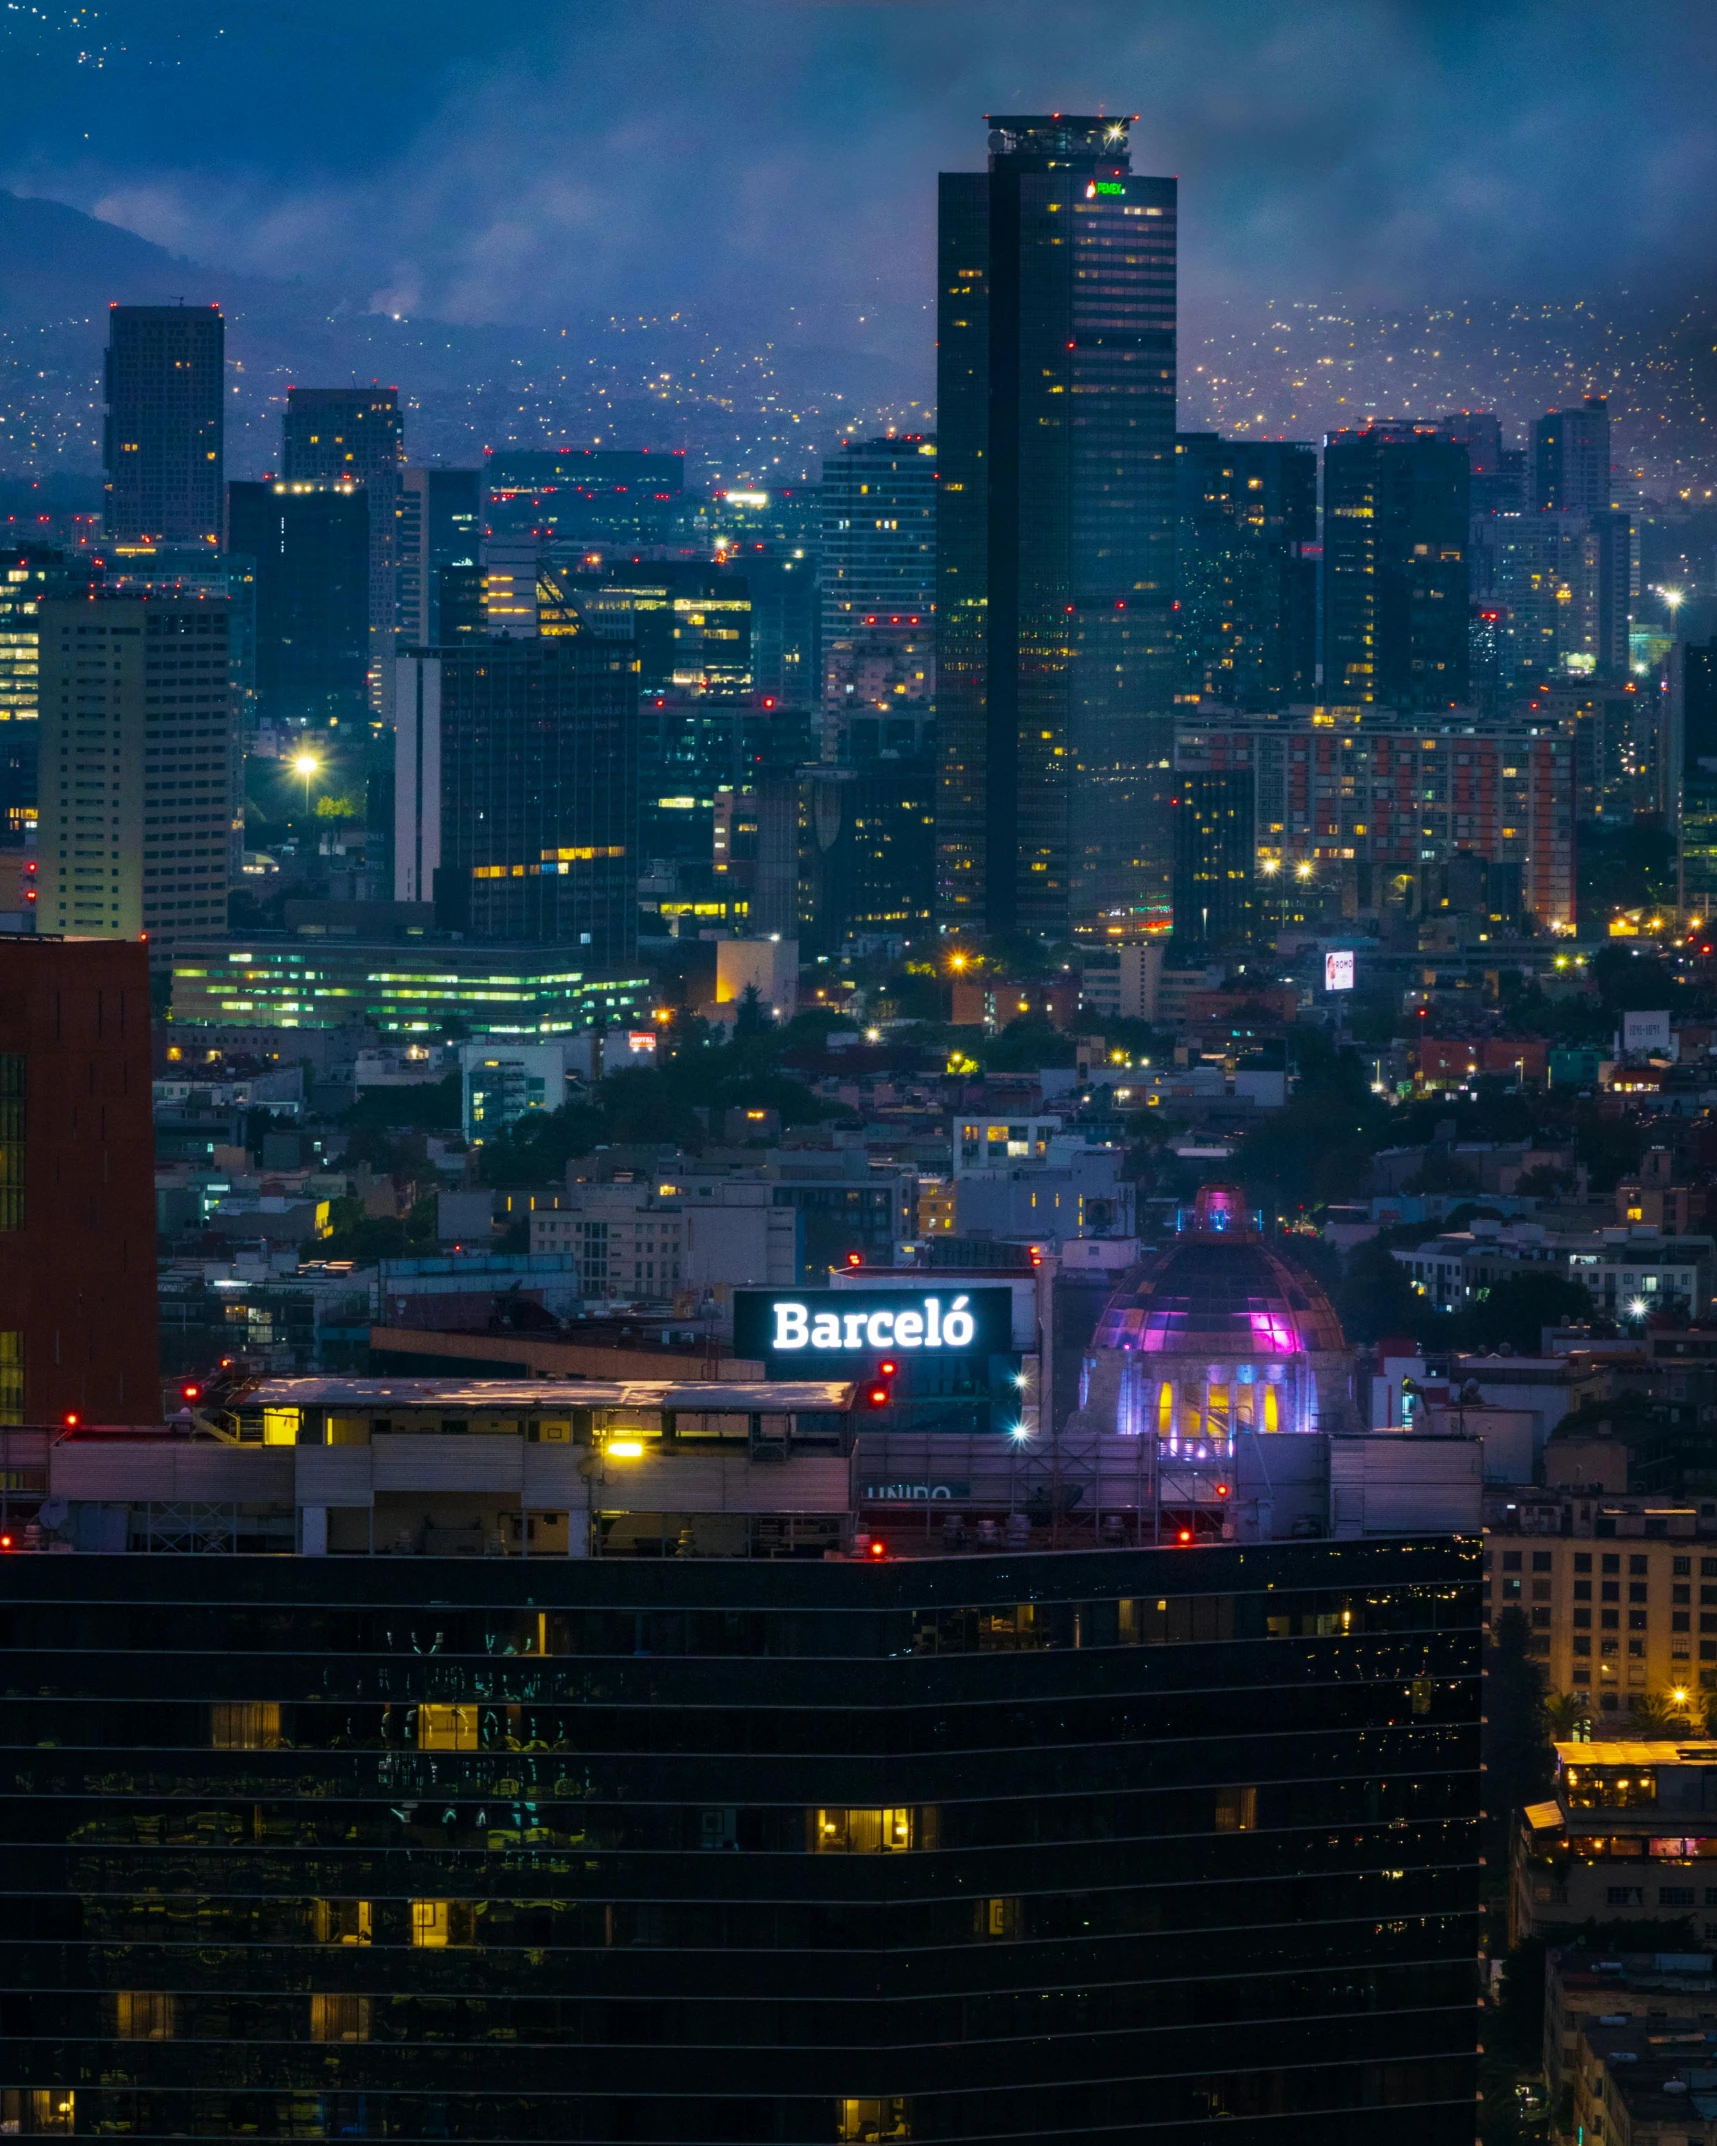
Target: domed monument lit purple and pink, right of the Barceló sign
{"x":1216,"y":1340}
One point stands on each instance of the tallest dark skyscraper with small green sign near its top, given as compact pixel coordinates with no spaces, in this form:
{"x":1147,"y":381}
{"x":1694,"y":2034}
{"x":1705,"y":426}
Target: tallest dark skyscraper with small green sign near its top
{"x":1055,"y":535}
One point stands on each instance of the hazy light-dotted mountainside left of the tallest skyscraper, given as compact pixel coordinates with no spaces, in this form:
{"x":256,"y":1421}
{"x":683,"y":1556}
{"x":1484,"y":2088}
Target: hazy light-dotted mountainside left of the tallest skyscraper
{"x":748,"y":409}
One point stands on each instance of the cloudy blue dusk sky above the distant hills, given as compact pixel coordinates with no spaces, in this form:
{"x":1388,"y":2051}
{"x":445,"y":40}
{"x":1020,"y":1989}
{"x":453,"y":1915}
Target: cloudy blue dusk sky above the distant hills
{"x":772,"y":160}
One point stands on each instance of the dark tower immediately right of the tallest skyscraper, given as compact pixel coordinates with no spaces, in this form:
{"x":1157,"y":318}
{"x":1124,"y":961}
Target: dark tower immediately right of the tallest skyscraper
{"x":1248,"y":570}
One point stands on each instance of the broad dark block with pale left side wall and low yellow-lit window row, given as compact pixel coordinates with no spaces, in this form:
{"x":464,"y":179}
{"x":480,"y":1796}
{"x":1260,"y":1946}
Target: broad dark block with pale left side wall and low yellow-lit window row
{"x":516,"y":791}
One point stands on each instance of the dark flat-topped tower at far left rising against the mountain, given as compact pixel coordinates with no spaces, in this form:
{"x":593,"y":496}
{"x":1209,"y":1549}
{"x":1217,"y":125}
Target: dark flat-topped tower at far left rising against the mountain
{"x":164,"y":428}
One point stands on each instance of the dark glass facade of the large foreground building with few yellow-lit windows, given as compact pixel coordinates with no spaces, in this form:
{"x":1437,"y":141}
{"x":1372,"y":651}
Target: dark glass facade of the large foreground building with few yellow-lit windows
{"x":1145,"y":1844}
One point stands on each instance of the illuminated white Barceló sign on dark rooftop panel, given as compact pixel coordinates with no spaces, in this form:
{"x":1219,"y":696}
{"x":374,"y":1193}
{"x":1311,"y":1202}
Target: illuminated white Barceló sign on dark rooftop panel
{"x":836,"y":1325}
